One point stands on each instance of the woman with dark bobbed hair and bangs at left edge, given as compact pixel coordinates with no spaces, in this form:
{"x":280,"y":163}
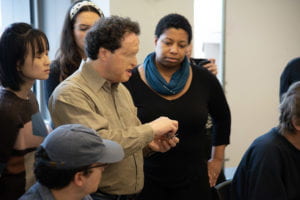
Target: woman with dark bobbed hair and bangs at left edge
{"x":23,"y":59}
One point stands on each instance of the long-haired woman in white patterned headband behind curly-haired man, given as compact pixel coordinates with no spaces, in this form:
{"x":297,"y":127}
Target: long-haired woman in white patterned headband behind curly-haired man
{"x":80,"y":17}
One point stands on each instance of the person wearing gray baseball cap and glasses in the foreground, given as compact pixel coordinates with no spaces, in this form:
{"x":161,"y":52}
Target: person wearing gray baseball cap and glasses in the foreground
{"x":69,"y":163}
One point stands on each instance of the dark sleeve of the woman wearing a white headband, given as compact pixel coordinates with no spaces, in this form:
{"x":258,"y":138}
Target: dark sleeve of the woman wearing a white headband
{"x":53,"y":80}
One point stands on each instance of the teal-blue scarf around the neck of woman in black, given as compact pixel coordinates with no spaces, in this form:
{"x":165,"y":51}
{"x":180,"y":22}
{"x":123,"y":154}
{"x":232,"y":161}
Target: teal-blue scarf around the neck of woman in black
{"x":158,"y":83}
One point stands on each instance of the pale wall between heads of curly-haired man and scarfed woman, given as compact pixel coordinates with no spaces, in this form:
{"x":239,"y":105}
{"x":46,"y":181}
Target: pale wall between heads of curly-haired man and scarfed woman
{"x":148,"y":13}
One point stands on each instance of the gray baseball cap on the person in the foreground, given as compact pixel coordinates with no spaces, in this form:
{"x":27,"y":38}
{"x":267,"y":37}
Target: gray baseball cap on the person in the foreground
{"x":73,"y":146}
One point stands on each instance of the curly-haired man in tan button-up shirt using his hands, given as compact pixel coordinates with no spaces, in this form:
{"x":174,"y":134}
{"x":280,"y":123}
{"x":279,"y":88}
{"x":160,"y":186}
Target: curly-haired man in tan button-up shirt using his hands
{"x":93,"y":96}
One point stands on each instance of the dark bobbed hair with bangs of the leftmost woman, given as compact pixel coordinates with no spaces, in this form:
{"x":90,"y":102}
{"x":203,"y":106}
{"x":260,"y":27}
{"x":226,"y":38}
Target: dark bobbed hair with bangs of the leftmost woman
{"x":15,"y":44}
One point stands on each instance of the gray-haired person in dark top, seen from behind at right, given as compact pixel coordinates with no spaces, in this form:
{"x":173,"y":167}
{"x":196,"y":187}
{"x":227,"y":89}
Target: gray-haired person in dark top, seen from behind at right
{"x":270,"y":167}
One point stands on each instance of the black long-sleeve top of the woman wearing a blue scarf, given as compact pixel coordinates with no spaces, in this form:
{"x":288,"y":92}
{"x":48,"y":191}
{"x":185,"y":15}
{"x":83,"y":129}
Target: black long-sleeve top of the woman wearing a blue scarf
{"x":188,"y":158}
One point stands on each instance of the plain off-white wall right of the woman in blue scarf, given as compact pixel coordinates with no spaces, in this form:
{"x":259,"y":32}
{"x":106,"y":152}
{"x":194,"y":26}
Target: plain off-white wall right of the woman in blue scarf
{"x":261,"y":37}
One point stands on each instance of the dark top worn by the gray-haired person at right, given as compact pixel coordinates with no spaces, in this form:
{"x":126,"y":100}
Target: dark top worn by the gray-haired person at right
{"x":270,"y":169}
